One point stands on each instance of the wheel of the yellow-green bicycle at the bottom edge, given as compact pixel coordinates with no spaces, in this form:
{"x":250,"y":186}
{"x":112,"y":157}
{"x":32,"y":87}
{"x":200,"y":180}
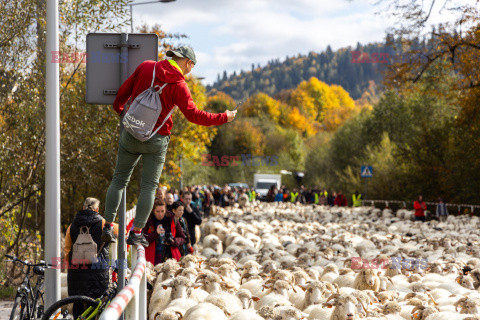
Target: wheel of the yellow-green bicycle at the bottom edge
{"x":64,"y":309}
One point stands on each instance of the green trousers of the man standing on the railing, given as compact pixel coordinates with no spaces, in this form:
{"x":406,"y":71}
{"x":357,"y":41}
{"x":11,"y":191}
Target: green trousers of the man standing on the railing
{"x":130,"y":150}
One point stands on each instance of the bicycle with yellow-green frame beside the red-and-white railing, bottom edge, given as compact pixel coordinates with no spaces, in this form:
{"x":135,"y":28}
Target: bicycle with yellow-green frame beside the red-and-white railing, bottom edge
{"x":93,"y":308}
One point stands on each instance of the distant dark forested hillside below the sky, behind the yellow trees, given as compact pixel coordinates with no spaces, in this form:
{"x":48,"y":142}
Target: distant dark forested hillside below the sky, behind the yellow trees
{"x":351,"y":68}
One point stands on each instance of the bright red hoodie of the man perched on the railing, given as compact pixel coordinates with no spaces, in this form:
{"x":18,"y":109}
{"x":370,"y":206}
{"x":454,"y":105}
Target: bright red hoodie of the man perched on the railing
{"x":175,"y":93}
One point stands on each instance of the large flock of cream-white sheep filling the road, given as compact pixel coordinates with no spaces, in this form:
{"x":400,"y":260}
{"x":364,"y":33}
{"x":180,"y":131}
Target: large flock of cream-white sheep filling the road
{"x":284,"y":262}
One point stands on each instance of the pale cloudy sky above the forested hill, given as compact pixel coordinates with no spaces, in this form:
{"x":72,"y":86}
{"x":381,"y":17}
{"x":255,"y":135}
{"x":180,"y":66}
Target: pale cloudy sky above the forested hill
{"x":232,"y":34}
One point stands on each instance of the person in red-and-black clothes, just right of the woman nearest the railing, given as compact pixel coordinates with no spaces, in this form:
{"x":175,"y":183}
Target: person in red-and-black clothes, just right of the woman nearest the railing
{"x":174,"y":233}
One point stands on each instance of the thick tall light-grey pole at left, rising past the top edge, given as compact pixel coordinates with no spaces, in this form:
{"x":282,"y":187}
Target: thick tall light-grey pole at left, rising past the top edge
{"x":52,"y":158}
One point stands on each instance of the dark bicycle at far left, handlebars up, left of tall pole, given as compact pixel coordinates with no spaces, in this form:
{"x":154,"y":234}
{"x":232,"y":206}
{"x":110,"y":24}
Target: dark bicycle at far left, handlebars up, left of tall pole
{"x":29,"y":303}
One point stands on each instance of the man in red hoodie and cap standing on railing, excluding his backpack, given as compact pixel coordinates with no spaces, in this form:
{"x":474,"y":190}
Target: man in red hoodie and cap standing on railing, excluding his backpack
{"x":153,"y":151}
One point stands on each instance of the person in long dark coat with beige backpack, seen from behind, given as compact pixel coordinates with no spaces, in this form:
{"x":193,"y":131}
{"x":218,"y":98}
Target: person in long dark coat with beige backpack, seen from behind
{"x":82,"y":245}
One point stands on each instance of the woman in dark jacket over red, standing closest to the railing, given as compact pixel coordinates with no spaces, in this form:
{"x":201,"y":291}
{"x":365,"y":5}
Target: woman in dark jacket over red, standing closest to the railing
{"x":155,"y":233}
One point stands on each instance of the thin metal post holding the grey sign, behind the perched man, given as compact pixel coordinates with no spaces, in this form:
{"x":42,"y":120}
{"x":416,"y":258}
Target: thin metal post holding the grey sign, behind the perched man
{"x":122,"y":272}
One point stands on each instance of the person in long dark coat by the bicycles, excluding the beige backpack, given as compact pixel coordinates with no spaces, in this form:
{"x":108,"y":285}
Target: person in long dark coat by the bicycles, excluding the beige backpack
{"x":87,"y":279}
